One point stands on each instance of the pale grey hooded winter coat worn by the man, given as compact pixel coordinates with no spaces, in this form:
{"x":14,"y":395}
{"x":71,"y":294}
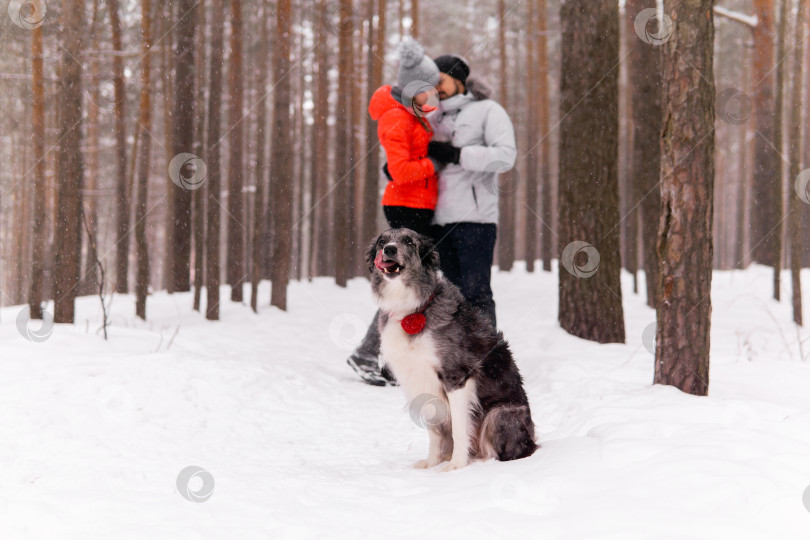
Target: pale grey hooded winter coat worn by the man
{"x":468,"y":192}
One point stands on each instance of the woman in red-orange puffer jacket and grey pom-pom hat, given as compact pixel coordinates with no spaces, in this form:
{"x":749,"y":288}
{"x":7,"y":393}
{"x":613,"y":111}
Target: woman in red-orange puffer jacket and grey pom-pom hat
{"x":411,"y":195}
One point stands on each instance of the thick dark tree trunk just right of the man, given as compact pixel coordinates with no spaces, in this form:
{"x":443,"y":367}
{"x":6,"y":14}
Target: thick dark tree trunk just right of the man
{"x":590,"y":291}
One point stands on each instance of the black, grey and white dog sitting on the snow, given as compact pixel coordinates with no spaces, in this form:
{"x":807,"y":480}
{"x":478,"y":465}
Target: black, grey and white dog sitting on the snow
{"x":438,"y":345}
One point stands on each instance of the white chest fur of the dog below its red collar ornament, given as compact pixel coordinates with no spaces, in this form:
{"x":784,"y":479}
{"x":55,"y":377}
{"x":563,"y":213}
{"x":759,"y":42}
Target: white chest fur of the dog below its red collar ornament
{"x":413,"y":359}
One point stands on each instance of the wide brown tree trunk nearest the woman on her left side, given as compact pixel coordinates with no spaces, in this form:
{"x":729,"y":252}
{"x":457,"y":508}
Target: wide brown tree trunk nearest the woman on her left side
{"x":281,"y":182}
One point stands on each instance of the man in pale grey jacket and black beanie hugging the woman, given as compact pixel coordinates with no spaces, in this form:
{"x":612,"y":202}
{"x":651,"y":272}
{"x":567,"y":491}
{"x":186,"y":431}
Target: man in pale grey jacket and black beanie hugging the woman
{"x":475,"y":140}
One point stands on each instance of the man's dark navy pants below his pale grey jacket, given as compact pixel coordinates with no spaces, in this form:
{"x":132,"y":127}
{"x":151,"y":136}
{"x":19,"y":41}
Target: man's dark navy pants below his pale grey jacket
{"x":466,"y":251}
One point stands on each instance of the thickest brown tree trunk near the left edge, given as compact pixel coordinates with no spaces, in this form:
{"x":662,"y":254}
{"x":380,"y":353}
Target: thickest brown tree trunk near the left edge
{"x":71,"y":165}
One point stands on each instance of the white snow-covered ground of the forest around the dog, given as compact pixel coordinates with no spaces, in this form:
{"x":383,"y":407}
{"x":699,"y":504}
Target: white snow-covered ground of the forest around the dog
{"x":96,"y":436}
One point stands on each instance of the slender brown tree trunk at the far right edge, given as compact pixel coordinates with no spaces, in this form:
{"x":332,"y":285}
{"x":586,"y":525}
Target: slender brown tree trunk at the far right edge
{"x":797,"y":140}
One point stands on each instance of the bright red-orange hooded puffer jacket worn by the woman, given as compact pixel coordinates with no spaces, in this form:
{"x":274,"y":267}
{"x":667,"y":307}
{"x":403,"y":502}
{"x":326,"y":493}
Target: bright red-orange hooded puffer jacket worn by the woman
{"x":405,"y":140}
